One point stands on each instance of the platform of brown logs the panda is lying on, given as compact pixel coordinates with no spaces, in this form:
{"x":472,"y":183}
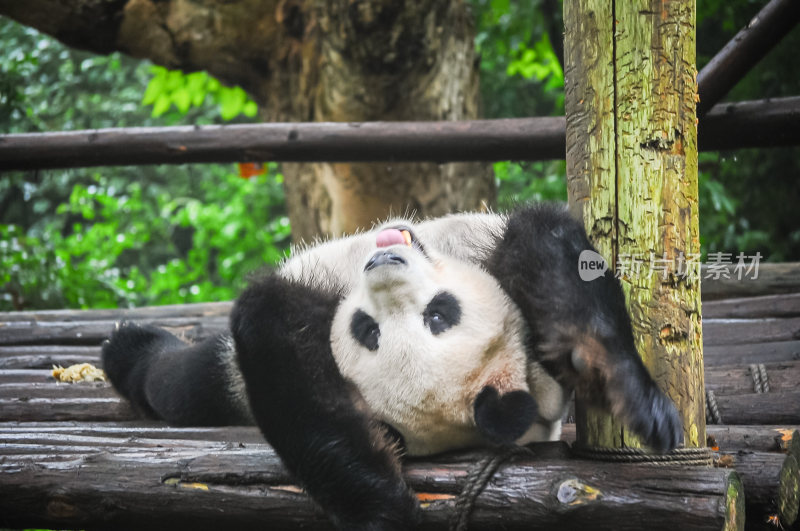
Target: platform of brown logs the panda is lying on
{"x":77,"y":455}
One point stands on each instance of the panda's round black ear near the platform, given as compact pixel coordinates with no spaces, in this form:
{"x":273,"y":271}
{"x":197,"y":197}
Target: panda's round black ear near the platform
{"x":504,"y":418}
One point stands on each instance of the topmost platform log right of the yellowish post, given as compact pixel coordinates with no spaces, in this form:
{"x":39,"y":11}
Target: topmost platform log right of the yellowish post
{"x":772,"y":279}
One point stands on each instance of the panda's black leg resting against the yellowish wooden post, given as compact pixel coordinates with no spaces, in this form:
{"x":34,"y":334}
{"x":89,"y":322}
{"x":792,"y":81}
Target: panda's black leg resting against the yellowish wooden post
{"x":572,"y":320}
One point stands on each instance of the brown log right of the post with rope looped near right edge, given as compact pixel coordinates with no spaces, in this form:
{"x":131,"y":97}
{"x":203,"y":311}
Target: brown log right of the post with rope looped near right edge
{"x":738,"y":380}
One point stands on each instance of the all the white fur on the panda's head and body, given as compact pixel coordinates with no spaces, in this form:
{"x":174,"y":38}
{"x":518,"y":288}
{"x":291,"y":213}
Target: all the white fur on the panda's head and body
{"x":423,"y":384}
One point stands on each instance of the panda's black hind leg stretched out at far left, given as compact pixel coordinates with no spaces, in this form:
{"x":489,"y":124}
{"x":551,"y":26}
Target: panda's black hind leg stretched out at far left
{"x":168,"y":379}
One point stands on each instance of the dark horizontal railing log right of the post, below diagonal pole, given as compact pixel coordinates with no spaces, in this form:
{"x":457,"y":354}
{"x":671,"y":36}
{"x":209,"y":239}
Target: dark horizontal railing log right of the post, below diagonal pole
{"x":770,"y":123}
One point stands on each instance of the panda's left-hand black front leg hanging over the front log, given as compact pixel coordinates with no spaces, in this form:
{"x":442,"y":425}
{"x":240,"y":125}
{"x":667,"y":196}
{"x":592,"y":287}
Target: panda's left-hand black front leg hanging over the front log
{"x":310,"y":415}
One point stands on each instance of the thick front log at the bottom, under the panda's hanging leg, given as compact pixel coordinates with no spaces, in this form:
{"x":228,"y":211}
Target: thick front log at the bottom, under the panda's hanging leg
{"x":184,"y":487}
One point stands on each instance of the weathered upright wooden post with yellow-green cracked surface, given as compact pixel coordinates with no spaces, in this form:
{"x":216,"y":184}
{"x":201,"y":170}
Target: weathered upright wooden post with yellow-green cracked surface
{"x":632,"y":177}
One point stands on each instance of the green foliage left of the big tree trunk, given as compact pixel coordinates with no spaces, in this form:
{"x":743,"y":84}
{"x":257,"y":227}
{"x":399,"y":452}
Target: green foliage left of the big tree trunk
{"x":124,"y":235}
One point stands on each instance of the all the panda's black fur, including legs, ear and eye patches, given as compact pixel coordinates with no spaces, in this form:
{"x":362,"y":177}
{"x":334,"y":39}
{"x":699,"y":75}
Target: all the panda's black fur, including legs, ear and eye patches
{"x":318,"y":422}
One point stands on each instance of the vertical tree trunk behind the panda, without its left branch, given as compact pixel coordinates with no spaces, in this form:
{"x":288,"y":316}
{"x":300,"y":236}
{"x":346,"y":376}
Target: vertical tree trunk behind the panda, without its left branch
{"x":381,"y":62}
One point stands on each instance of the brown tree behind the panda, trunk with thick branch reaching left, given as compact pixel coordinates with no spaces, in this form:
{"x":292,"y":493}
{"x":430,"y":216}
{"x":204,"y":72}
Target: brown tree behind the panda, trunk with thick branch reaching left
{"x":311,"y":60}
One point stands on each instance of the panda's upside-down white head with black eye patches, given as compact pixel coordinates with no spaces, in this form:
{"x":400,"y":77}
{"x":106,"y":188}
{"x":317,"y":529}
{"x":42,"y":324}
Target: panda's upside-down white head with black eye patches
{"x":423,"y":336}
